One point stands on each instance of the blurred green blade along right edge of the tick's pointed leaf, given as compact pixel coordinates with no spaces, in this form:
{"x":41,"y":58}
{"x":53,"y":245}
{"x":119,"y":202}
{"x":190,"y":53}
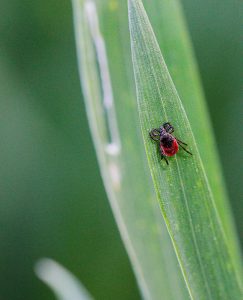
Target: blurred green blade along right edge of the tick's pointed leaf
{"x":169,"y":26}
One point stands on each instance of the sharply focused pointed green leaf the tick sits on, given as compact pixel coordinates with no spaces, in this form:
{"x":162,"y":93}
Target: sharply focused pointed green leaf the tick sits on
{"x":182,"y":188}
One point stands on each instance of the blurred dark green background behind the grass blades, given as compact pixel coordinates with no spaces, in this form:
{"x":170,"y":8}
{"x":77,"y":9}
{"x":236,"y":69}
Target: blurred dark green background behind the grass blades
{"x":52,"y":198}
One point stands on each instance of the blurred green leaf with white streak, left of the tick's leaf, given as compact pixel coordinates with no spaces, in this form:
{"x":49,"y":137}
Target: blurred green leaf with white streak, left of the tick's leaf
{"x":105,"y":67}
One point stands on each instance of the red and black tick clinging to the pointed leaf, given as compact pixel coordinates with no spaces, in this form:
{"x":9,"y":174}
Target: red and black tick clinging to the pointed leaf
{"x":168,"y":144}
